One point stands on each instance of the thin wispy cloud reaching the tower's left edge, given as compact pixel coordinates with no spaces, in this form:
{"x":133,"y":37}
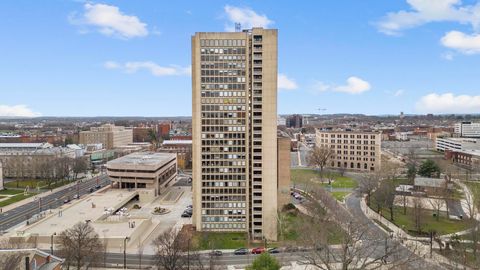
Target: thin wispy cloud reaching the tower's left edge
{"x":155,"y":69}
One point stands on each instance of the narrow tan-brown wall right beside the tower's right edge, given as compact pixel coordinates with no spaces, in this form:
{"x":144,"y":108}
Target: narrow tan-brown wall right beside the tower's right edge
{"x":283,"y":167}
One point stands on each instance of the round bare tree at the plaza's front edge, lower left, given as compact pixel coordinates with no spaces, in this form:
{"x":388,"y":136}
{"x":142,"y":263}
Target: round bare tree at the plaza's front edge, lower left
{"x":80,"y":246}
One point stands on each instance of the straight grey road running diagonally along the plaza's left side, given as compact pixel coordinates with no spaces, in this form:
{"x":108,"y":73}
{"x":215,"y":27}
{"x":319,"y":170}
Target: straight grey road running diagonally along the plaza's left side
{"x":23,"y":212}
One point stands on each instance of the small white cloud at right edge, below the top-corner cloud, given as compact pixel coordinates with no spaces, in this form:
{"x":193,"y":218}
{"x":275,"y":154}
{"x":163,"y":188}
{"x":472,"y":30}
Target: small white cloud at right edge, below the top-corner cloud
{"x":464,"y":43}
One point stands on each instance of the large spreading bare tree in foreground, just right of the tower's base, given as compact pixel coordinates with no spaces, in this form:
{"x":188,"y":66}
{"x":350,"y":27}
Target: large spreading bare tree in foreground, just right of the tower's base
{"x":360,"y":247}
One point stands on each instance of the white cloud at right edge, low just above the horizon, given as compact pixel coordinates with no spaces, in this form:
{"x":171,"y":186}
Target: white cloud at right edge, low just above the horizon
{"x":448,"y":103}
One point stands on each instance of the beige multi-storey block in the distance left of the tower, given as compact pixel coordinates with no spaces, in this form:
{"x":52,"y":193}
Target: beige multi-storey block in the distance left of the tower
{"x":108,"y":135}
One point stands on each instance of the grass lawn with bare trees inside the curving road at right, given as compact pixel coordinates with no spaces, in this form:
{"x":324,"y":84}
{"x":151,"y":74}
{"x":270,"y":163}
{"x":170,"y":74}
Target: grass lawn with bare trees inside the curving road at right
{"x":428,"y":221}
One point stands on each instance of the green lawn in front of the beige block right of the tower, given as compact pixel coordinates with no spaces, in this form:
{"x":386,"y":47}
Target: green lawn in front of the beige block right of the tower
{"x":304,"y":176}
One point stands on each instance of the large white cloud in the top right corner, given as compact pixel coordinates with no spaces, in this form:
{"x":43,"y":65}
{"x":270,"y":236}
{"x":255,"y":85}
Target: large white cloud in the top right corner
{"x":427,"y":11}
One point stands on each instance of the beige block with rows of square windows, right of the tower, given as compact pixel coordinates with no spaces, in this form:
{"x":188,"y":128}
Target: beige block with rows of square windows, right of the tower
{"x":354,"y":150}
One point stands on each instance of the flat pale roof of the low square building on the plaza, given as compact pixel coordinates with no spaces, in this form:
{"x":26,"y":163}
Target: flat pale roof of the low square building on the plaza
{"x":144,"y":158}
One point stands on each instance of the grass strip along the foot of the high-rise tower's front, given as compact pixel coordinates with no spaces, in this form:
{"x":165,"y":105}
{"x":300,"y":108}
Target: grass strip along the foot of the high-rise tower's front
{"x":226,"y":240}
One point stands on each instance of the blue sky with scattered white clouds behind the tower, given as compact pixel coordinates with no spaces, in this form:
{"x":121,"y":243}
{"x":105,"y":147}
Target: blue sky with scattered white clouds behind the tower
{"x":132,"y":58}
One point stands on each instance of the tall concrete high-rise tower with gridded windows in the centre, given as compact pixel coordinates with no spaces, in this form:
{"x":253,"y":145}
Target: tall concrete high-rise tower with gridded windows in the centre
{"x":234,"y":89}
